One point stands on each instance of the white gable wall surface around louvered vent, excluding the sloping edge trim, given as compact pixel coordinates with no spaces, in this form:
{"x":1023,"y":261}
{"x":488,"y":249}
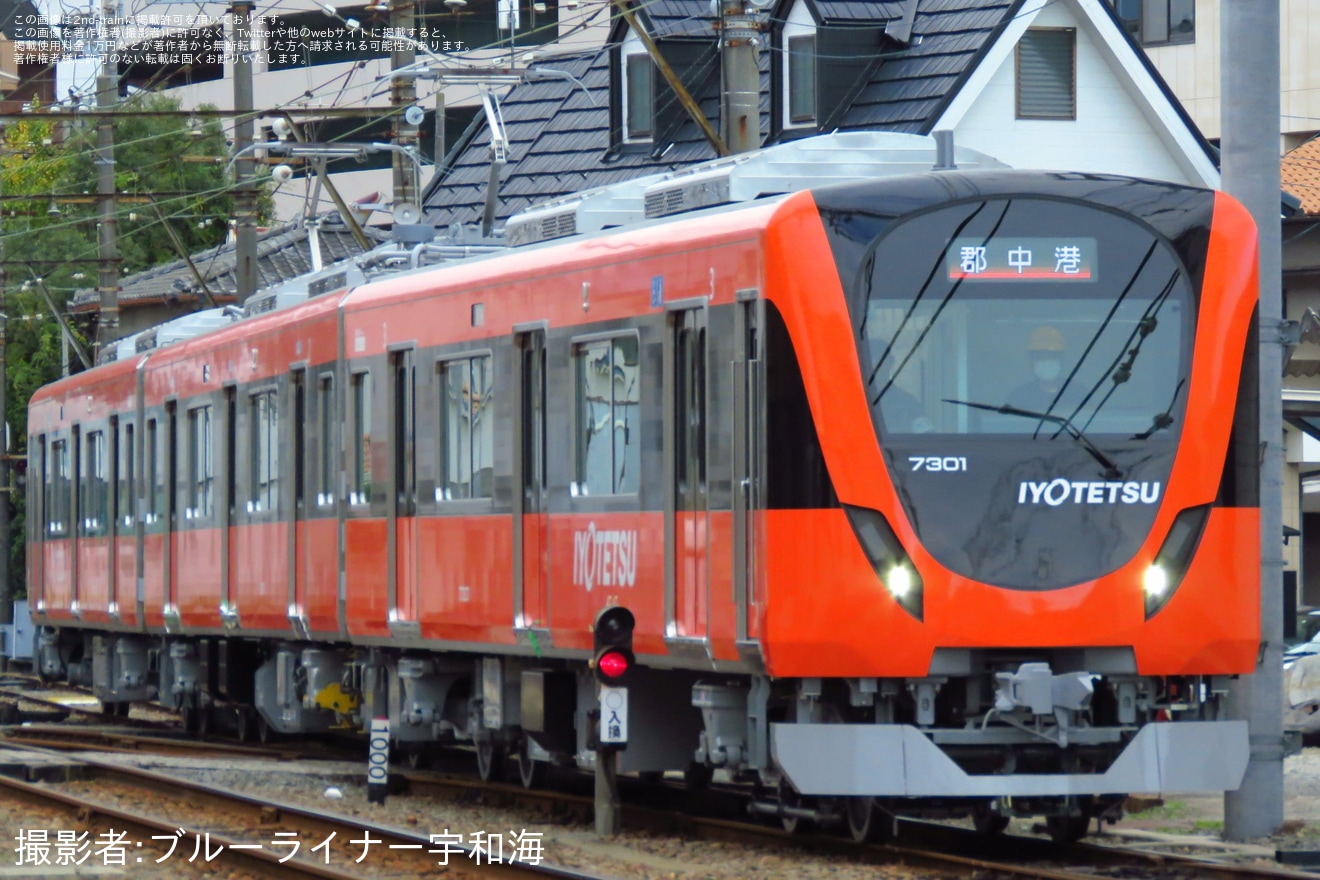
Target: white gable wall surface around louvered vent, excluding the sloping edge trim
{"x":1112,"y":134}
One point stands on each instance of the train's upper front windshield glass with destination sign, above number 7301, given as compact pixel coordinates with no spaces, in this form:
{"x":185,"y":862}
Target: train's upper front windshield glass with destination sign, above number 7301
{"x":1029,"y":319}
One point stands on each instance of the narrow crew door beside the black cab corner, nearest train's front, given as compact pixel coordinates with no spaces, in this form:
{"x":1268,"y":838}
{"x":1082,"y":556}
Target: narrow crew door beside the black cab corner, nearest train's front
{"x":748,"y":462}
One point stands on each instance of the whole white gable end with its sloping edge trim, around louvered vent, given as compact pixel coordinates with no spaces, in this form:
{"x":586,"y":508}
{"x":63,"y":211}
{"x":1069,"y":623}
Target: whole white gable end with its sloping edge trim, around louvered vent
{"x":1117,"y":130}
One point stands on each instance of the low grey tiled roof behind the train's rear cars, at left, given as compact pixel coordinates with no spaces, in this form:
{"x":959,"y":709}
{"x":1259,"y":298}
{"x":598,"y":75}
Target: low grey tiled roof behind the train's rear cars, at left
{"x":209,"y":278}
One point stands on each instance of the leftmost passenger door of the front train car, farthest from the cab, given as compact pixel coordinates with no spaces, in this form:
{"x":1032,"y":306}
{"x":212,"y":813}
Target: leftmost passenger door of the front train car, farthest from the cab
{"x":402,"y":530}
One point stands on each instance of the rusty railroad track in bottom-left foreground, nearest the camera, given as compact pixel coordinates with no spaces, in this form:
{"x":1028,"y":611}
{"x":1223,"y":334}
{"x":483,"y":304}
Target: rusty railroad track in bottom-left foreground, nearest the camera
{"x":242,"y":829}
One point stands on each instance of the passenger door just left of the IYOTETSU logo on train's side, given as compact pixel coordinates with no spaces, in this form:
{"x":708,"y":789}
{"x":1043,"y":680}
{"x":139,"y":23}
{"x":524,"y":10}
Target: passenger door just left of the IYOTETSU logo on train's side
{"x":531,"y":609}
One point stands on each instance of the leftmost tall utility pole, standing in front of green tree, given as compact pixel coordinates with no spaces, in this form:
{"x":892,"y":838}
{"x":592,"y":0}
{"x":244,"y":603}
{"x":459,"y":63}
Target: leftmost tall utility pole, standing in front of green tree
{"x":108,"y":241}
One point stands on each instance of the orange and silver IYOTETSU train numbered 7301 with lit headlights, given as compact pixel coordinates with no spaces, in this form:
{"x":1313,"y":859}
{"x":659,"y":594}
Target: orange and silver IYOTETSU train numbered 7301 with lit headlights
{"x":919,"y":491}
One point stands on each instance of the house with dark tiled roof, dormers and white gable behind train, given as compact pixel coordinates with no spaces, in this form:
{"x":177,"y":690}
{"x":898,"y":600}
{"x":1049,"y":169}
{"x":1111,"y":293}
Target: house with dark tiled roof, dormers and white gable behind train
{"x":1034,"y":84}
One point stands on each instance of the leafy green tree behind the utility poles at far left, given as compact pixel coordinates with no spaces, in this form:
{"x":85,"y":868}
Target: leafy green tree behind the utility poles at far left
{"x":49,"y":247}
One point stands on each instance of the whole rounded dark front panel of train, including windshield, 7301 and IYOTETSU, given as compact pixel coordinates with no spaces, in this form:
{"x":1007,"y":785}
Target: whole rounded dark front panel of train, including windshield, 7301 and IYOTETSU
{"x":1028,"y":363}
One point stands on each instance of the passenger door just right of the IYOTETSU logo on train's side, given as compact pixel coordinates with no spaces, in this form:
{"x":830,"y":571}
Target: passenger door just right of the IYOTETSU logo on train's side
{"x":688,"y":519}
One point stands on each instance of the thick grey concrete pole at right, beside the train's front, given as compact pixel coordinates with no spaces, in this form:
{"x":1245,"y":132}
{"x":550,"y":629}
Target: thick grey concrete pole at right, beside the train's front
{"x":1249,"y":52}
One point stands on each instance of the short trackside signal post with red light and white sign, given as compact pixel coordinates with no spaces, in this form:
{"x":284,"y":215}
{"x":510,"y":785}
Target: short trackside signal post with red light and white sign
{"x":612,"y":663}
